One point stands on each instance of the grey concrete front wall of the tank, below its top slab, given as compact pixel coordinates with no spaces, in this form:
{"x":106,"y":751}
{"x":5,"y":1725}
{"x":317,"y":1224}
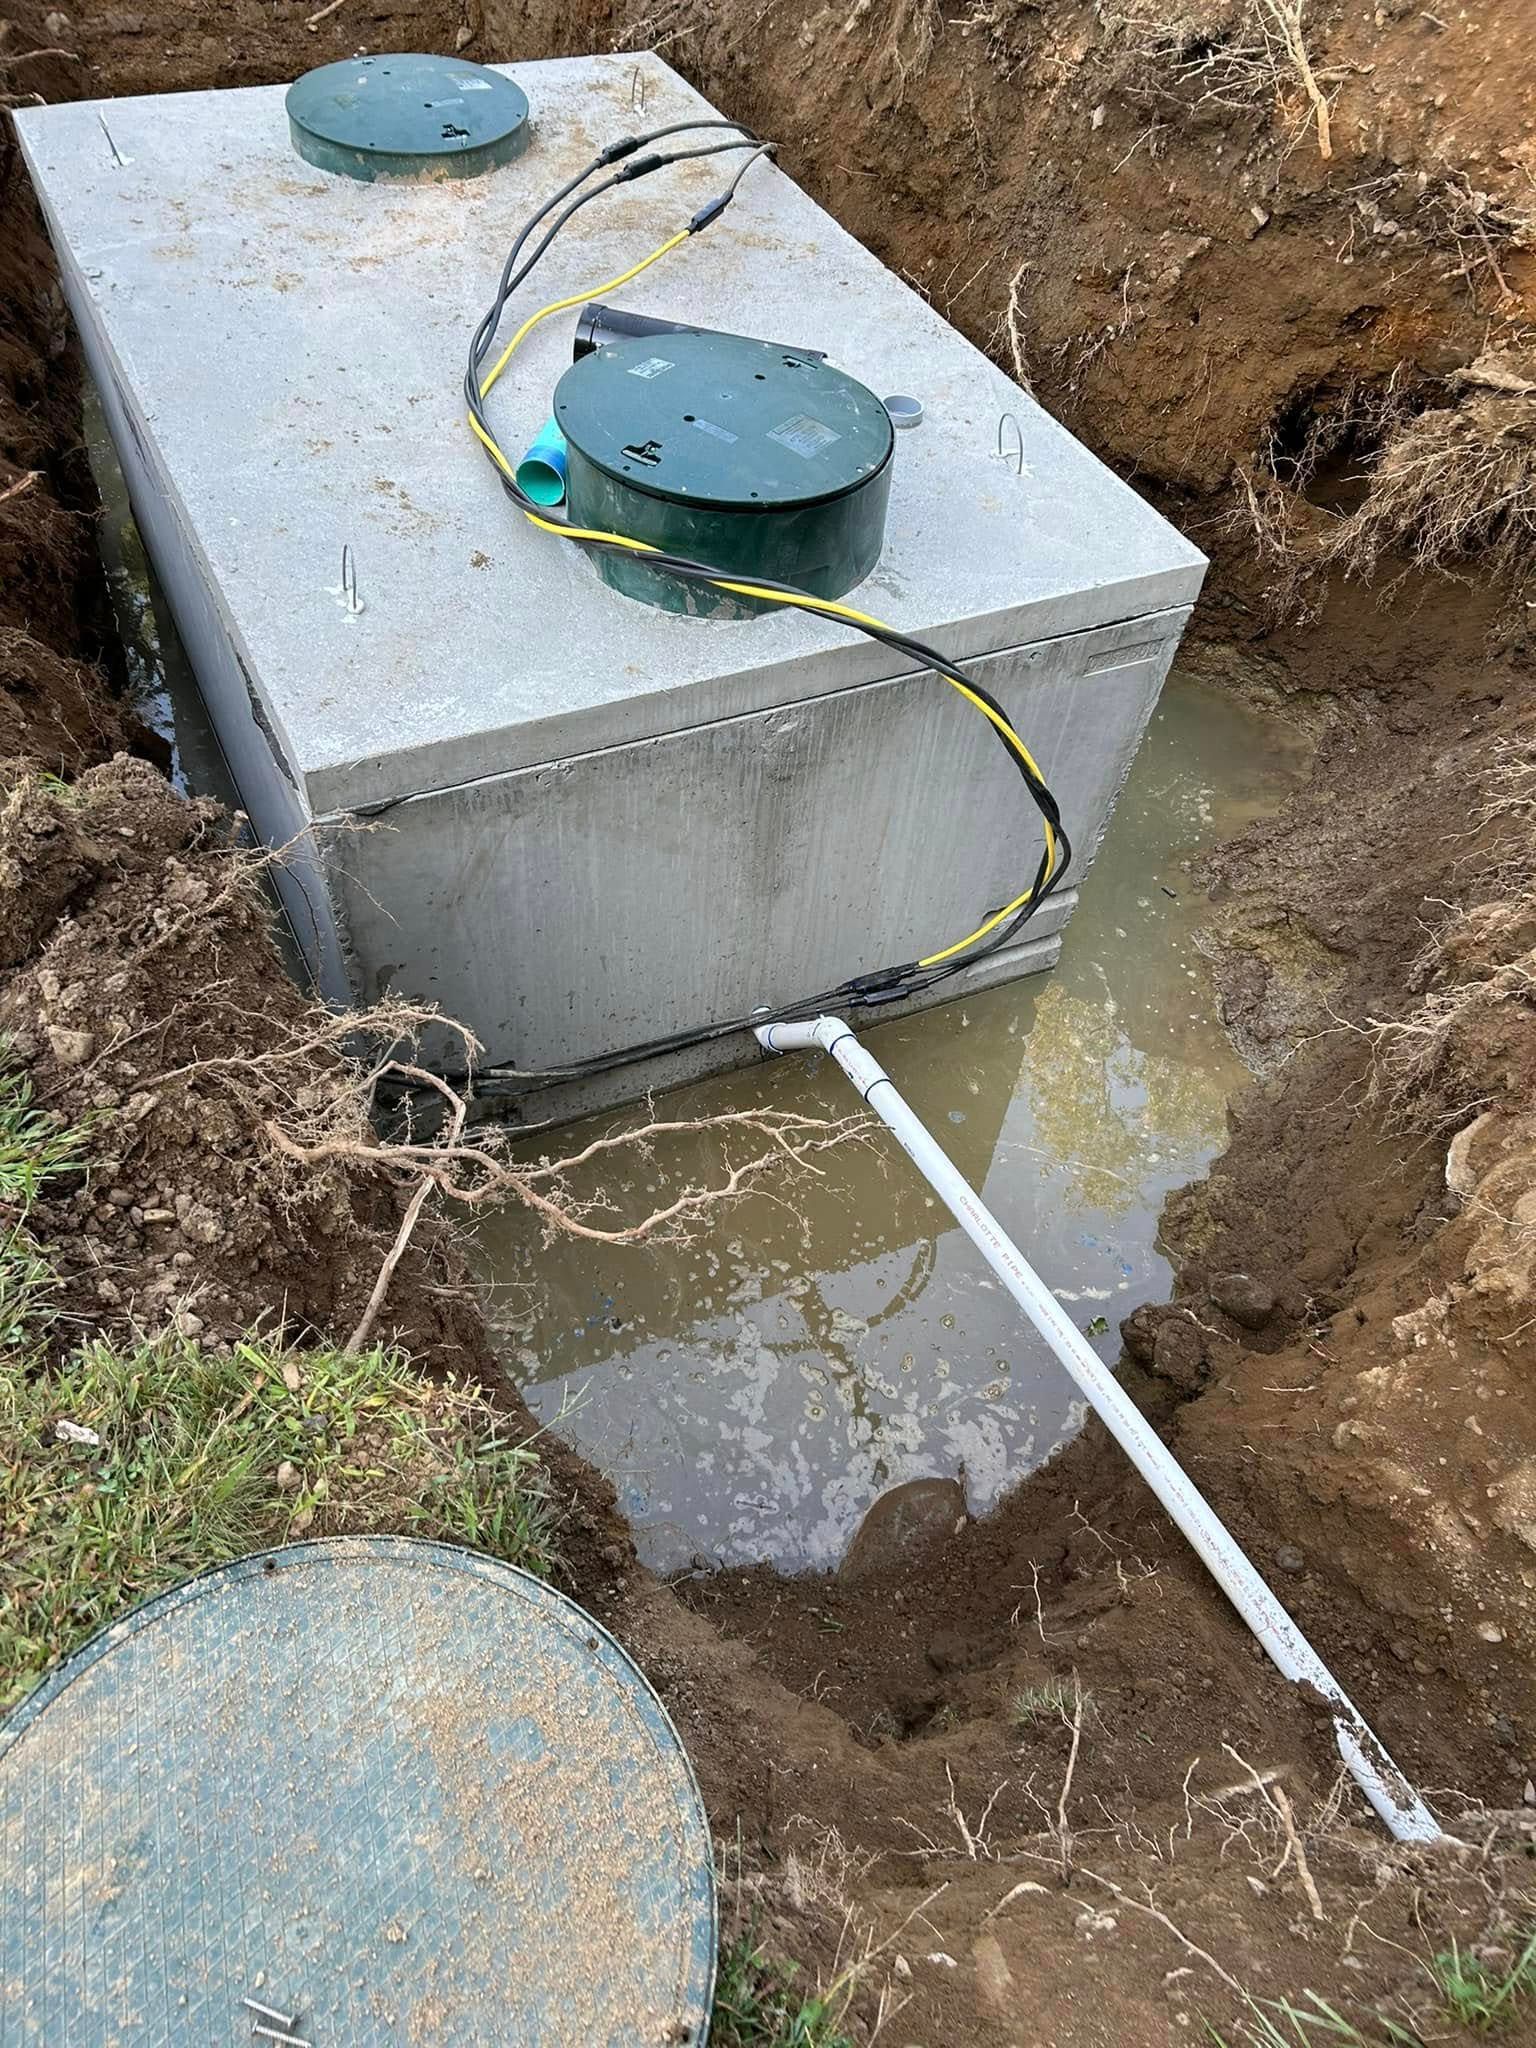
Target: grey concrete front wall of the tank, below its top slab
{"x":581,"y":908}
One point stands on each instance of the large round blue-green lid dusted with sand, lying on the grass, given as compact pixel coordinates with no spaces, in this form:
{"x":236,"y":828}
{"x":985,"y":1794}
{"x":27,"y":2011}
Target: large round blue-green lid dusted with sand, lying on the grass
{"x":353,"y":1791}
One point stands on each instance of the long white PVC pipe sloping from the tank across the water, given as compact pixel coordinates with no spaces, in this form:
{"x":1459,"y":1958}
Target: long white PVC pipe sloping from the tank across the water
{"x":1373,"y":1770}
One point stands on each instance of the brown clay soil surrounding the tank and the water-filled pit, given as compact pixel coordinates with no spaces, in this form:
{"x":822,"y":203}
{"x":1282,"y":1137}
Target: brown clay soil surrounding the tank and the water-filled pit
{"x":1027,"y":1775}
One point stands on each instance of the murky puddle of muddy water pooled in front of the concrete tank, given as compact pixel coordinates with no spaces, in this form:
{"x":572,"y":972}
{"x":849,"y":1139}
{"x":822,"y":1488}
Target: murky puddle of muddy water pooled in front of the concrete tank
{"x":753,"y":1394}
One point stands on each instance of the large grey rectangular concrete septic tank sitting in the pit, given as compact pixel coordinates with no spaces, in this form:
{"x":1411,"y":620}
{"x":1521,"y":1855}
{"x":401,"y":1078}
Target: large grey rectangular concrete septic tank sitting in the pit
{"x":574,"y":820}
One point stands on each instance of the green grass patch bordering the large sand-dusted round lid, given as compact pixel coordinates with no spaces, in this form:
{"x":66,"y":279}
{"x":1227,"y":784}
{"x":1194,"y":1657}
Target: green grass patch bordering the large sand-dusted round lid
{"x":126,"y":1469}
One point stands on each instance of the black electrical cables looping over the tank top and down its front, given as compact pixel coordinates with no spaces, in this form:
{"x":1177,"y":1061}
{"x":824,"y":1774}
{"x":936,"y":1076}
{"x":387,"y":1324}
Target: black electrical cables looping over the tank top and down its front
{"x":861,"y":992}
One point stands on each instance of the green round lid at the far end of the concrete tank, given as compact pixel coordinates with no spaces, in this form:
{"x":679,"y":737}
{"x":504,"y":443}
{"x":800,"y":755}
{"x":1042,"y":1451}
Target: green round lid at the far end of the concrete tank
{"x":407,"y":118}
